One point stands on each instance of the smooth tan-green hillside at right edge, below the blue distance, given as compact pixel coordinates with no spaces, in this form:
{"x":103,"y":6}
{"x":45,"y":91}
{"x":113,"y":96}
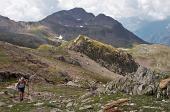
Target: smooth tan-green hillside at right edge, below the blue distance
{"x":153,"y":56}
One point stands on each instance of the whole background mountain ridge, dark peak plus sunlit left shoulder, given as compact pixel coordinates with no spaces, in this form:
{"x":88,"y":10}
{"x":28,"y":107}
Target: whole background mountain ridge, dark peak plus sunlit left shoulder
{"x":68,"y":24}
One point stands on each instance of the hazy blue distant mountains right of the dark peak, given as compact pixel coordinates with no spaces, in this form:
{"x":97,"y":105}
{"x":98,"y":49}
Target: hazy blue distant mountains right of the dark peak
{"x":157,"y":31}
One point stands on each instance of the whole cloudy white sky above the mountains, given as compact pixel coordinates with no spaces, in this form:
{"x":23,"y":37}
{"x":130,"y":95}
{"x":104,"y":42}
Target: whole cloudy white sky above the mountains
{"x":34,"y":10}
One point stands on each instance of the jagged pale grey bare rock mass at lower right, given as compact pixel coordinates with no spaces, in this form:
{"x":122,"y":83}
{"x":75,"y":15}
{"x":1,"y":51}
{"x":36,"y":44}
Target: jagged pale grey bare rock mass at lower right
{"x":143,"y":82}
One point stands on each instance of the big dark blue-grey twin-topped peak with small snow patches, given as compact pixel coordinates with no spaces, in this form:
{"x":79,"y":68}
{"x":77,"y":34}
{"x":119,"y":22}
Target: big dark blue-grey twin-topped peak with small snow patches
{"x":71,"y":23}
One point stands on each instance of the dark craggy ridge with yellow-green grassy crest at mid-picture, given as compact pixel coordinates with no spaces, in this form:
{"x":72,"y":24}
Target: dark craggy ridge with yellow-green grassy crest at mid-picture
{"x":113,"y":59}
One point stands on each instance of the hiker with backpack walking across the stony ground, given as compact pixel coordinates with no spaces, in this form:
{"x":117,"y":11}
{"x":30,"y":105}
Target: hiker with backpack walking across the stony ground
{"x":21,"y":87}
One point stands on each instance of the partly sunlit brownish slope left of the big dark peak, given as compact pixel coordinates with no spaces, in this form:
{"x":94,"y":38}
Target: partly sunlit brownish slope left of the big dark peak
{"x":26,"y":34}
